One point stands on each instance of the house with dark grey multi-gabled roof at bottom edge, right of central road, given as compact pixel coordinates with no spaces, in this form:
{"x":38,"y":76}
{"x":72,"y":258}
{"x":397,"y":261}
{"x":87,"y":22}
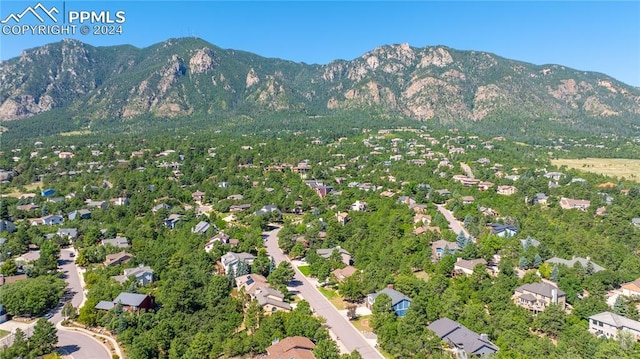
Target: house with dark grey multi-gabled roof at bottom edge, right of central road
{"x":464,"y":342}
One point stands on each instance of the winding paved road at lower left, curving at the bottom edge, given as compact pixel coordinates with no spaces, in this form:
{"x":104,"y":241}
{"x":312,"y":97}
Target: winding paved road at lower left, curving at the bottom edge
{"x":78,"y":345}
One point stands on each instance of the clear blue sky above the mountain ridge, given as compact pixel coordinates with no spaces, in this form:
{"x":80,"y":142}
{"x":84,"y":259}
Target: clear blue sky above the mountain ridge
{"x":585,"y":35}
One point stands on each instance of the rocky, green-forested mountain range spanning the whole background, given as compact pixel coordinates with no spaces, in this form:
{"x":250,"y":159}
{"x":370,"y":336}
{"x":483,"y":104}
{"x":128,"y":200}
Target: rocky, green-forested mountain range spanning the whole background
{"x":186,"y":78}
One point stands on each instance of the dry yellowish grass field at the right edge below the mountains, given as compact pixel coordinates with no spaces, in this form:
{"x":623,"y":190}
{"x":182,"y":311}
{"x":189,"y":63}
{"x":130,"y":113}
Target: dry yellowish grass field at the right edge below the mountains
{"x":614,"y":167}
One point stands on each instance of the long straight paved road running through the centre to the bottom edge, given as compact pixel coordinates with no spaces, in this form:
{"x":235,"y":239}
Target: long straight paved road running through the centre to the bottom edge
{"x":339,"y":325}
